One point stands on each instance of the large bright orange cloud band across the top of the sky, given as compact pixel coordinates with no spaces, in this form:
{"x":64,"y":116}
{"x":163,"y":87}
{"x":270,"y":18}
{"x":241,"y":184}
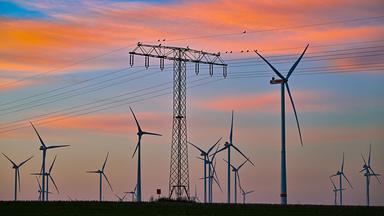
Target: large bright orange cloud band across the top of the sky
{"x":32,"y":46}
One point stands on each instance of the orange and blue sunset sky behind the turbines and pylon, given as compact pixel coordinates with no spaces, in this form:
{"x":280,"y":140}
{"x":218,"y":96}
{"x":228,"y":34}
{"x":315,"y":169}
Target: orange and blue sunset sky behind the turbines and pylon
{"x":65,"y":66}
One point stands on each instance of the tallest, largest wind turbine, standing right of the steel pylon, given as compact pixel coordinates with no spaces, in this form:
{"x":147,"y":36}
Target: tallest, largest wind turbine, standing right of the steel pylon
{"x":283,"y":81}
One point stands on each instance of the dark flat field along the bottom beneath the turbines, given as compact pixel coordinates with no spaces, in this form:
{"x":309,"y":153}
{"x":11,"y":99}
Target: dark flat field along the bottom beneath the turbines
{"x":154,"y":208}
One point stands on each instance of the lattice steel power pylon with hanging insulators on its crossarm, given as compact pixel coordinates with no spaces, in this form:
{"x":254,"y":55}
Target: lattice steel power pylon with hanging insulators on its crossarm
{"x":179,"y":173}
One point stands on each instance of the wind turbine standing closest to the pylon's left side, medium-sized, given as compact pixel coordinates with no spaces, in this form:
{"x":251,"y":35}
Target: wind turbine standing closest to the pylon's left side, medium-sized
{"x":140,"y":133}
